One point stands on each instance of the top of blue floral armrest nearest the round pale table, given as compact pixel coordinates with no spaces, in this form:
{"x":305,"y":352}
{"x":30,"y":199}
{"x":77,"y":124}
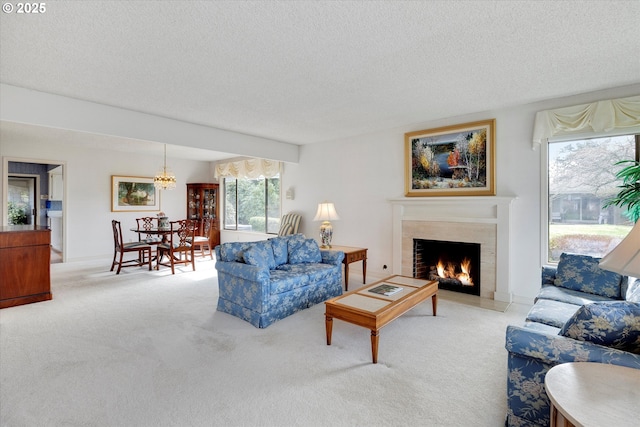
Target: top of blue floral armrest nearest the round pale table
{"x":555,"y":349}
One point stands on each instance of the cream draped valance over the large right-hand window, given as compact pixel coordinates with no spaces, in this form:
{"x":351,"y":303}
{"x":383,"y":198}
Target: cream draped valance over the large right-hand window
{"x":596,"y":117}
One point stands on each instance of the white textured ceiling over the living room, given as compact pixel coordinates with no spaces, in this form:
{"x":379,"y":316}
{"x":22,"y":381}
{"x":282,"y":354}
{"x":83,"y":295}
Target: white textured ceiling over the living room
{"x":306,"y":72}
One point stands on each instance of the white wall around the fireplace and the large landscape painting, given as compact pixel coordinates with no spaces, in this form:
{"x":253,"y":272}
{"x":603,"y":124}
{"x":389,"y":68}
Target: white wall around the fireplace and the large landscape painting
{"x":360,"y":174}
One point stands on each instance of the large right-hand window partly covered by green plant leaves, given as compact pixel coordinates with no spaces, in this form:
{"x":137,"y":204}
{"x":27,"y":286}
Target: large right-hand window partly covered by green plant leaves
{"x":581,"y":177}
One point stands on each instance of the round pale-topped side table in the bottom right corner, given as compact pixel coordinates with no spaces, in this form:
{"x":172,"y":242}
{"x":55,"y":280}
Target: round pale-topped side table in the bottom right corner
{"x":593,"y":394}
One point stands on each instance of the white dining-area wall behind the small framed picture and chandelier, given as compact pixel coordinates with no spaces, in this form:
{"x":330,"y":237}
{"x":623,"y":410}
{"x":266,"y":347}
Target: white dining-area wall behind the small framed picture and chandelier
{"x":87,"y":177}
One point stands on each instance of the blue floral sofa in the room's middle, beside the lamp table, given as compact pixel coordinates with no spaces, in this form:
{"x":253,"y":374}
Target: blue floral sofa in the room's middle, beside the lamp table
{"x":265,"y":281}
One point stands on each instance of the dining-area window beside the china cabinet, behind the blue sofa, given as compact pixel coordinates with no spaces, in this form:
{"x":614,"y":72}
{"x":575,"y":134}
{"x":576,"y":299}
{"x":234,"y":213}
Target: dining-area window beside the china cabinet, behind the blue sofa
{"x":252,"y":204}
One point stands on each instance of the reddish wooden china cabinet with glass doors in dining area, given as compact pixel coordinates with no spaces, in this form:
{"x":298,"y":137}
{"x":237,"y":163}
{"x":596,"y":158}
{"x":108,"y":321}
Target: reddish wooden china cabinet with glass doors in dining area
{"x":203,"y":201}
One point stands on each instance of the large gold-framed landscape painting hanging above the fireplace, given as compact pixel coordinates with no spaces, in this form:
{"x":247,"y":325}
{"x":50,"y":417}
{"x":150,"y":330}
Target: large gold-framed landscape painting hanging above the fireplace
{"x":454,"y":160}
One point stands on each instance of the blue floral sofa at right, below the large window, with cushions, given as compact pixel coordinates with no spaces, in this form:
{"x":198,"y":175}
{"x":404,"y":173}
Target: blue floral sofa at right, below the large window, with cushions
{"x":581,"y":314}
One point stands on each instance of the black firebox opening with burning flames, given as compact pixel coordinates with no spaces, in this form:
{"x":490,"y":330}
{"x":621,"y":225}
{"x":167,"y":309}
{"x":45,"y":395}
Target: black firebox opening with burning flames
{"x":456,"y":265}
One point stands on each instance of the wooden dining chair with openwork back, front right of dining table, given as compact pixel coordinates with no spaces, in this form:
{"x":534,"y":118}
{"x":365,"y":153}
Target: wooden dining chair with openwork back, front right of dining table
{"x":179,"y":243}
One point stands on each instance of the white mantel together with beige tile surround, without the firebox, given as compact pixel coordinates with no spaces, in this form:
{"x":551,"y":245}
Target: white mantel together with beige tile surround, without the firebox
{"x":483,"y":220}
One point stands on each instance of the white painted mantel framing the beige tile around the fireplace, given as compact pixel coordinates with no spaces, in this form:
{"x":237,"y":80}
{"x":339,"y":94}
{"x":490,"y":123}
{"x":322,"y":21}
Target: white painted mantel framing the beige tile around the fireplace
{"x":469,"y":210}
